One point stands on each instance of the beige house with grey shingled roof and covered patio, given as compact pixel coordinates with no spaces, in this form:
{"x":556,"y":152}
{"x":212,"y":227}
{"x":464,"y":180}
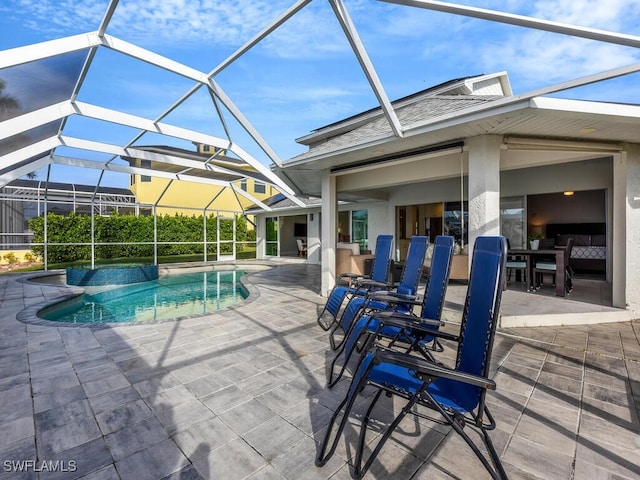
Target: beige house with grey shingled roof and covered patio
{"x":474,"y":159}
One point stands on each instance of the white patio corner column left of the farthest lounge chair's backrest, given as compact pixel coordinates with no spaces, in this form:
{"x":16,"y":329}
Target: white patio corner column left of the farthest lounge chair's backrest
{"x":329,"y":232}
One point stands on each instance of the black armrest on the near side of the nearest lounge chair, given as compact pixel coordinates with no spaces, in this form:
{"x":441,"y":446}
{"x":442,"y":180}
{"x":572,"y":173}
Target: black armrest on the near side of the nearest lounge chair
{"x":428,"y":370}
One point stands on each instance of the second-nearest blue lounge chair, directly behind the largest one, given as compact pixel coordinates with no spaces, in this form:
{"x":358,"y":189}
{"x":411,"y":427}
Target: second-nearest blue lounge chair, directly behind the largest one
{"x":431,"y":309}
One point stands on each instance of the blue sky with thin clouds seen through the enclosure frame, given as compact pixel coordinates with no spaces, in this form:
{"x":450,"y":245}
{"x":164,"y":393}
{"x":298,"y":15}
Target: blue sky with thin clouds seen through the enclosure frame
{"x":305,"y":76}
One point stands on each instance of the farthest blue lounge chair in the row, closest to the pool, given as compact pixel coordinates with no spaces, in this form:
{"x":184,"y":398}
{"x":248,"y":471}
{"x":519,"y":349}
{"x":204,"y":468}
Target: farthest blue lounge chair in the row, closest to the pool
{"x":348,"y":284}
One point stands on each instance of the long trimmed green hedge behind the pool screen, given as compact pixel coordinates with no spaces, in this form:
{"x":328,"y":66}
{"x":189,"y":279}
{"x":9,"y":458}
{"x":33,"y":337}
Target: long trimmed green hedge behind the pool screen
{"x":132,"y":230}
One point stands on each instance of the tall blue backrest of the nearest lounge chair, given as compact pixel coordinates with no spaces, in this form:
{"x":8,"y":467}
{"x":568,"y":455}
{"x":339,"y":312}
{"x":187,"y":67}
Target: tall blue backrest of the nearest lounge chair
{"x":481,"y":311}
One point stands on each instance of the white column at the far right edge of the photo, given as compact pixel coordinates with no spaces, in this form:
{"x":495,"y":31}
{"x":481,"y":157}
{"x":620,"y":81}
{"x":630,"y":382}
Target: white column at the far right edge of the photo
{"x":626,"y":229}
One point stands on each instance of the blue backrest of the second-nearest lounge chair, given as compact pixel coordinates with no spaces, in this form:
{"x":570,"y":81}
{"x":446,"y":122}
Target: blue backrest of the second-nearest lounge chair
{"x":436,"y":289}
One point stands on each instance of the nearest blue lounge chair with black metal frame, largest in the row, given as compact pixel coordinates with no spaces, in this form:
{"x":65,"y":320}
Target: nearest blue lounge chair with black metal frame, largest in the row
{"x":457,"y":394}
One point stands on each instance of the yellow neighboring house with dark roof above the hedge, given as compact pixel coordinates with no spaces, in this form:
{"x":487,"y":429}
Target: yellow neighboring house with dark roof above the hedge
{"x":192,"y":198}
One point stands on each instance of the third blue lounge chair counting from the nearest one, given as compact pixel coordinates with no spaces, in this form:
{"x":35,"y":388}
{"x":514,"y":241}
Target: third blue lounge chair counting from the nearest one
{"x":408,"y":287}
